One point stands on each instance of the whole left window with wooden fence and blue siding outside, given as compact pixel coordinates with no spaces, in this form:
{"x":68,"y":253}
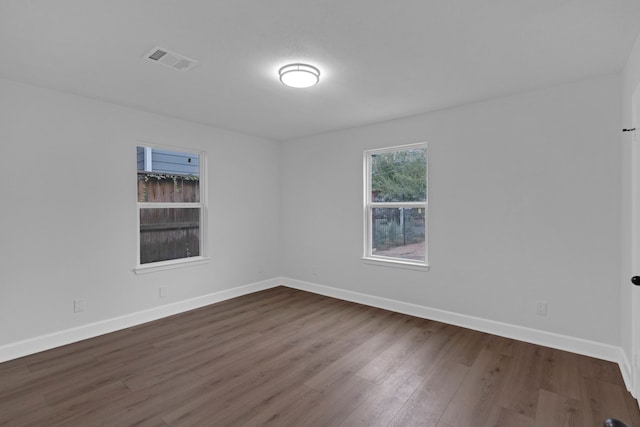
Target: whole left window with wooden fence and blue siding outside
{"x":170,"y":206}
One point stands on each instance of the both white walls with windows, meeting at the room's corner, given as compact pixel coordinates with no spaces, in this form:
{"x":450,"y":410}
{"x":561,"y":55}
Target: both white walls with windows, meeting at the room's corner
{"x":524,"y":206}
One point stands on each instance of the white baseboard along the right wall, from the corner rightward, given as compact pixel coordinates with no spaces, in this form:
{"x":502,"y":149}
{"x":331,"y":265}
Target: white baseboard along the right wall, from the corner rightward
{"x":535,"y":336}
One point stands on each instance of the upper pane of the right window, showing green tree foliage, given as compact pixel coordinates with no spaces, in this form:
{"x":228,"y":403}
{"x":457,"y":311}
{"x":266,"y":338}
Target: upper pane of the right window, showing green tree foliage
{"x":399,"y":176}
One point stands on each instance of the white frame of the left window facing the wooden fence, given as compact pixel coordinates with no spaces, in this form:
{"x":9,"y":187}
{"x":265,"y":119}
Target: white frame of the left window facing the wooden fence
{"x":202,"y":205}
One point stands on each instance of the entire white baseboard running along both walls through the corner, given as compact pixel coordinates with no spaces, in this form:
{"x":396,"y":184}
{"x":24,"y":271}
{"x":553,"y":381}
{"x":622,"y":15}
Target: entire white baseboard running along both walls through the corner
{"x":535,"y":336}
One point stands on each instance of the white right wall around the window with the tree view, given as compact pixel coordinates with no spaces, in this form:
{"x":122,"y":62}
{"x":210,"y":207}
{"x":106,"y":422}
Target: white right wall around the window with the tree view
{"x":524,"y":206}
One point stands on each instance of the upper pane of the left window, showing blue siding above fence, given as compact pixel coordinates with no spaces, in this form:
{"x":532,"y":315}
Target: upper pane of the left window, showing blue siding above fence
{"x":166,"y":176}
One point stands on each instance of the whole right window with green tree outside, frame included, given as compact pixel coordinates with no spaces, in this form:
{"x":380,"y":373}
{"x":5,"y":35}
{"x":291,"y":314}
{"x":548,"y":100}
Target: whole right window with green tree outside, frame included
{"x":395,"y":205}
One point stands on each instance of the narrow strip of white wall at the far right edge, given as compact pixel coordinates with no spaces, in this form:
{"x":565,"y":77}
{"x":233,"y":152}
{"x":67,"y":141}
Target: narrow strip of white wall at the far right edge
{"x":630,"y":83}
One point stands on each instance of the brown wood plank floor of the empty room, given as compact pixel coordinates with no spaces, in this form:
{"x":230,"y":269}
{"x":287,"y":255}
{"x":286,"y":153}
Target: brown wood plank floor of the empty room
{"x":284,"y":357}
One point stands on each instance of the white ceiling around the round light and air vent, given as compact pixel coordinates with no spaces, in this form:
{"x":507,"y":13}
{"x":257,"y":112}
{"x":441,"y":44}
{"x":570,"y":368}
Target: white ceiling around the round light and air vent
{"x":379,"y":59}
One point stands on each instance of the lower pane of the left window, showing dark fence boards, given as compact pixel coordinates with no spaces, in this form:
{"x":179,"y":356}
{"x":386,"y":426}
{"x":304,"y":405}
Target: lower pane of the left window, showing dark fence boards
{"x":169,"y":233}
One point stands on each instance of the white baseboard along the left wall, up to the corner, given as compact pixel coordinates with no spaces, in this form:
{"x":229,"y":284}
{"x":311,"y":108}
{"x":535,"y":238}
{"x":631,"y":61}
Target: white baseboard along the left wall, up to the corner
{"x":68,"y":336}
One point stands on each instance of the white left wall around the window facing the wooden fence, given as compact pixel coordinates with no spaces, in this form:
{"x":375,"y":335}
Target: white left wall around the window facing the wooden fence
{"x":68,"y":217}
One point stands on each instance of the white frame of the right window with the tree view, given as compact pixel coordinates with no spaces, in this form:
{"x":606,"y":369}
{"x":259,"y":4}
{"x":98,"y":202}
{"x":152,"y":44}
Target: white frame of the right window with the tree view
{"x":369,"y":205}
